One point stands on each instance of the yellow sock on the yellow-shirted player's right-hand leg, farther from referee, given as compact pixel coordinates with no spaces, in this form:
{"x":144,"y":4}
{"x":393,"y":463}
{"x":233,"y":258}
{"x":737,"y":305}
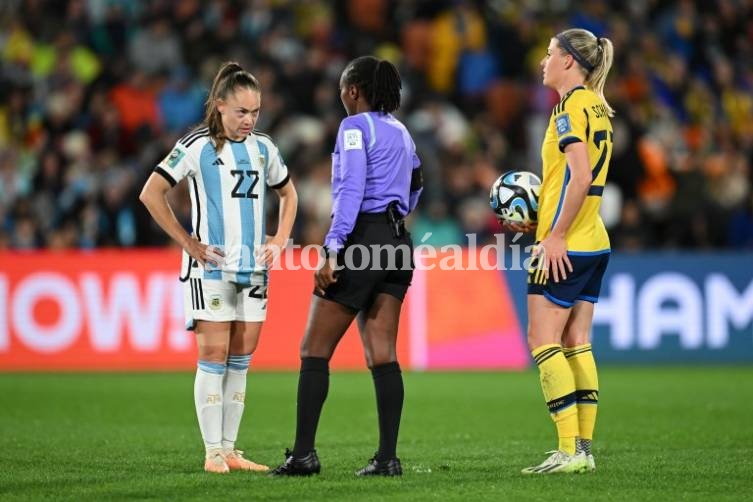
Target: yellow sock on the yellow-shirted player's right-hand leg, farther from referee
{"x":583,"y":366}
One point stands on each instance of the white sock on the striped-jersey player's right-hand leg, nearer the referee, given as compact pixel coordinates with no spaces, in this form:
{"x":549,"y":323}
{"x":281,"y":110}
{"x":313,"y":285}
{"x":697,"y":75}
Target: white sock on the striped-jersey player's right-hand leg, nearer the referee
{"x":234,"y":397}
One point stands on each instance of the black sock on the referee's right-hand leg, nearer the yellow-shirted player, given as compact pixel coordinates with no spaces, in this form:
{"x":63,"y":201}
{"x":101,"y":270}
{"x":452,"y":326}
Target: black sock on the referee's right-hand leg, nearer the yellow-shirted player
{"x":388,"y":383}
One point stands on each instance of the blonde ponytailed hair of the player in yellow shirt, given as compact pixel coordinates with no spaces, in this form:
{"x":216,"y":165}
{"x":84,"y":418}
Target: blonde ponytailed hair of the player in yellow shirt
{"x":594,"y":56}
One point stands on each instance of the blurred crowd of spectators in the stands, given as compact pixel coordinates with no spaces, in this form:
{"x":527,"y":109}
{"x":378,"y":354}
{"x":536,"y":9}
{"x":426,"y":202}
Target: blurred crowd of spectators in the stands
{"x":93,"y":93}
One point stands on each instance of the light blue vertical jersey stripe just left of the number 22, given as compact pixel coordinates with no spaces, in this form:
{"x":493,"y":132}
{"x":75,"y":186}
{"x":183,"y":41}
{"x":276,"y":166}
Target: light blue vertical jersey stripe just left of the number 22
{"x":210,"y":175}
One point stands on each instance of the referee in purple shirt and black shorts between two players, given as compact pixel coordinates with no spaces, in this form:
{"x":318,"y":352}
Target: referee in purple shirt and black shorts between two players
{"x":376,"y":181}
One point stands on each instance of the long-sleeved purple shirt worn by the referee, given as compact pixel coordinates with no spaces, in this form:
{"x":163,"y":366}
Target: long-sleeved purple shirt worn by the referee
{"x":372,"y":165}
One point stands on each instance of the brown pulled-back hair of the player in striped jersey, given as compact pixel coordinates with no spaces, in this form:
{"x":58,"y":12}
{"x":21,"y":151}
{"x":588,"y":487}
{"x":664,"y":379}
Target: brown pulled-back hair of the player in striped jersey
{"x":229,"y":77}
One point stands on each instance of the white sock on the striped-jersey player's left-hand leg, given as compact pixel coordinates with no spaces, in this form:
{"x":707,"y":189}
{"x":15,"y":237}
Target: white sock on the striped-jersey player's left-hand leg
{"x":207,"y":393}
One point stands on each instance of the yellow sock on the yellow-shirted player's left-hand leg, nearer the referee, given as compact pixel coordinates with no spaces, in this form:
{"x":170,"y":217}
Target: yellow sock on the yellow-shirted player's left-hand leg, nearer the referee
{"x":559,"y":392}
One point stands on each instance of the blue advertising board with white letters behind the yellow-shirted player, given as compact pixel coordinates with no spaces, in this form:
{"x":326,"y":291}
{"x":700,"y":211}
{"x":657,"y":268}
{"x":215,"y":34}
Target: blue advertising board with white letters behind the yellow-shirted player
{"x":670,"y":307}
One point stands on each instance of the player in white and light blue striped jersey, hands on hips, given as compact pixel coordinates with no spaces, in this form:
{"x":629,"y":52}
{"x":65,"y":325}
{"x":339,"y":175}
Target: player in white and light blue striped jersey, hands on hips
{"x":229,"y":168}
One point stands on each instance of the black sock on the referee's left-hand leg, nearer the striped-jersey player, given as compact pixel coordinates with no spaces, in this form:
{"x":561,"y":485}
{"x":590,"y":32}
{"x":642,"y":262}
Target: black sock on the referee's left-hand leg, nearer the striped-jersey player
{"x":313,"y":384}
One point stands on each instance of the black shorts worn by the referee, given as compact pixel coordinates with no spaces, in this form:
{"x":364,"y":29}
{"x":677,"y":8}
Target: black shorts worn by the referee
{"x":373,"y":261}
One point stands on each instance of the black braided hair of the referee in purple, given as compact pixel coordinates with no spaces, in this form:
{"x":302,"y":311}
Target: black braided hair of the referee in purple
{"x":378,"y":79}
